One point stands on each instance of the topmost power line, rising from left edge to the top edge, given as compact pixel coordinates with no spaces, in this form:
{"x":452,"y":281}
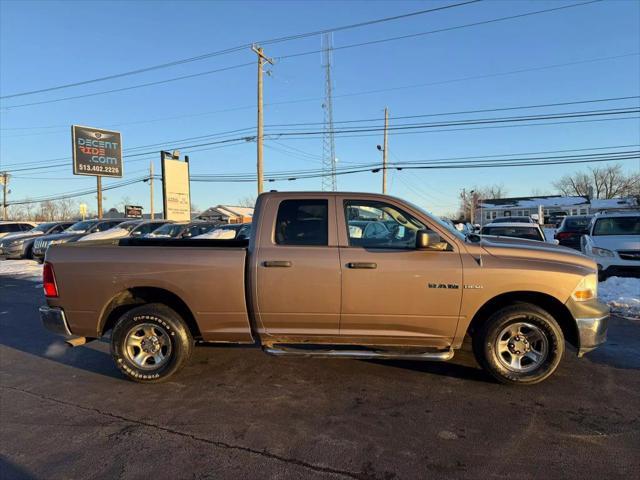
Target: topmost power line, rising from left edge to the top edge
{"x":237,"y":49}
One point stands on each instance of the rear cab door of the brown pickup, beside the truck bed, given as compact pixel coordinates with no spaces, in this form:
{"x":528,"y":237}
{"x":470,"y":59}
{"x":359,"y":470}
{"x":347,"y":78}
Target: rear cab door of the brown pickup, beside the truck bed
{"x":297,"y":268}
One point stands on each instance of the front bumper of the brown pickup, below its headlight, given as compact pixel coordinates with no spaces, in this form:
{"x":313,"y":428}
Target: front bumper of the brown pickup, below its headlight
{"x":592,"y":320}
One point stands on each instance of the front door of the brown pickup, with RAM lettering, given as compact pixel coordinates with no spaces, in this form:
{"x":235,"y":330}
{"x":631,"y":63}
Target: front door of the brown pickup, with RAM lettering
{"x":390,"y":289}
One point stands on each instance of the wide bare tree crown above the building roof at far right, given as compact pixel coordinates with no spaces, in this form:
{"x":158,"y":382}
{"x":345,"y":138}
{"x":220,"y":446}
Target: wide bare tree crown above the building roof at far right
{"x":600,"y":182}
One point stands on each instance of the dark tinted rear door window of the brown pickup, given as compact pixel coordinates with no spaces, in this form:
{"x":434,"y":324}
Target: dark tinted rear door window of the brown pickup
{"x":302,"y":222}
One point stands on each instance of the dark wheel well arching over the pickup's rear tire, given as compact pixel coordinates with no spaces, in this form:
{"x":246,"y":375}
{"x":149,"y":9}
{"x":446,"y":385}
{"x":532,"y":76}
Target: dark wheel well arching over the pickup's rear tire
{"x":133,"y":297}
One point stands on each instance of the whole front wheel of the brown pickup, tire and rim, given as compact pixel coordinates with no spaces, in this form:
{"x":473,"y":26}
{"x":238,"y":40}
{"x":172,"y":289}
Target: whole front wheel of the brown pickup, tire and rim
{"x":520,"y":344}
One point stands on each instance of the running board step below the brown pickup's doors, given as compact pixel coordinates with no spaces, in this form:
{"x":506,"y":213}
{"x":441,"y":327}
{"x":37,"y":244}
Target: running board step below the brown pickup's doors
{"x":438,"y":356}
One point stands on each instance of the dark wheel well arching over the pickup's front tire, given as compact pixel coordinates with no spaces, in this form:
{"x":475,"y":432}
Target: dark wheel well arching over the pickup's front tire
{"x":550,"y":304}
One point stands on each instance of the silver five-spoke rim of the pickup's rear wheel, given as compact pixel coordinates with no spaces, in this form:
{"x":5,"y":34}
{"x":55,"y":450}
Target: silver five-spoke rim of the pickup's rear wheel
{"x":148,"y":346}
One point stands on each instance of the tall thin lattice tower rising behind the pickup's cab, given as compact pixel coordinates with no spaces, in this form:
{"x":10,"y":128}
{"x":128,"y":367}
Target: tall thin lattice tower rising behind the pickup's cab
{"x":328,"y":137}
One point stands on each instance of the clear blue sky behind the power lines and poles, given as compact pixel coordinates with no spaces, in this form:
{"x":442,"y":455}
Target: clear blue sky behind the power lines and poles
{"x":48,"y":43}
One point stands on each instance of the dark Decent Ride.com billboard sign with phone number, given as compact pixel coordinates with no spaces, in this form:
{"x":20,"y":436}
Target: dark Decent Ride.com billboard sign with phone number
{"x":96,"y":152}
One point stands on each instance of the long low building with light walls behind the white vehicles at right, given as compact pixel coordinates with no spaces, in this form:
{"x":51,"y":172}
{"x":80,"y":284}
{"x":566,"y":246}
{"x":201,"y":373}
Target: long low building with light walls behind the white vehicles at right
{"x":489,"y":209}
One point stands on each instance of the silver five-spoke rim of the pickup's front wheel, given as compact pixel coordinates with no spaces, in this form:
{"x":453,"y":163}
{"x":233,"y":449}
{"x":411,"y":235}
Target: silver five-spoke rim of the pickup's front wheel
{"x":522,"y":347}
